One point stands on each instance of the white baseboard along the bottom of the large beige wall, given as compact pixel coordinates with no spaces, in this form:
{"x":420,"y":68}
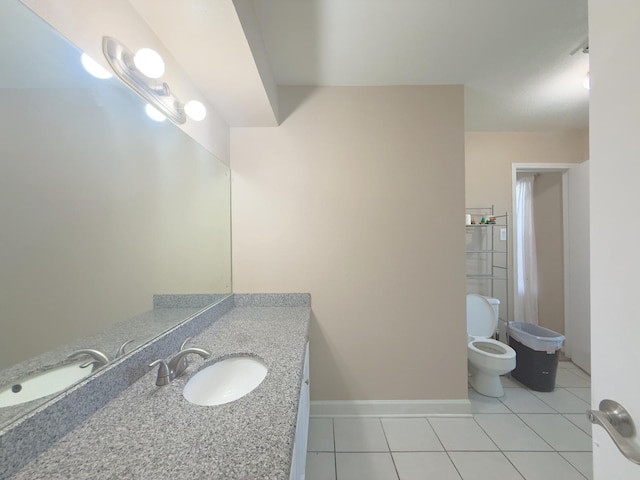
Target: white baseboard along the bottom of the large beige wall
{"x":390,"y":408}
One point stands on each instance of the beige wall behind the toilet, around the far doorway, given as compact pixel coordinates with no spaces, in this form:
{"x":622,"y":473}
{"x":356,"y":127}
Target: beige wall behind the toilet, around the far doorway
{"x":488,"y":169}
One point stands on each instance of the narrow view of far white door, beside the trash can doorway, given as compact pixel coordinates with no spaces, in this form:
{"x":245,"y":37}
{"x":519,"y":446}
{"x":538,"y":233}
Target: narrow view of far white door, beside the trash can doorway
{"x":577,"y":303}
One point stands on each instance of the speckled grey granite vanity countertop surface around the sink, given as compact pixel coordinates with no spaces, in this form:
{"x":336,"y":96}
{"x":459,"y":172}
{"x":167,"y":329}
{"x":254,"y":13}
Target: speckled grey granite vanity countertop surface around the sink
{"x":151,"y":432}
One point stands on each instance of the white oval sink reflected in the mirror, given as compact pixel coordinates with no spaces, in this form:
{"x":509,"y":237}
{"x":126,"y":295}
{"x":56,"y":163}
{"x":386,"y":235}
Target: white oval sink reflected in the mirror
{"x":43,"y":383}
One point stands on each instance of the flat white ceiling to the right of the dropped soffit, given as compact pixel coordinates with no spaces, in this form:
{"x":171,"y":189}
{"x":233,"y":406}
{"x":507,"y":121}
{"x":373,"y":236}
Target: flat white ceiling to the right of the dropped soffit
{"x":513,"y":56}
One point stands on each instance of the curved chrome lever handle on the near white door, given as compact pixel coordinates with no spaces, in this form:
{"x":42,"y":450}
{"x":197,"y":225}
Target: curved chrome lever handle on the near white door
{"x":617,"y":422}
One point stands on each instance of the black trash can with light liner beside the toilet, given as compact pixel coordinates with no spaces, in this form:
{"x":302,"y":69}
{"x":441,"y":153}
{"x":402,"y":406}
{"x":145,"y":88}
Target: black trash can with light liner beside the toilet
{"x":537,"y":350}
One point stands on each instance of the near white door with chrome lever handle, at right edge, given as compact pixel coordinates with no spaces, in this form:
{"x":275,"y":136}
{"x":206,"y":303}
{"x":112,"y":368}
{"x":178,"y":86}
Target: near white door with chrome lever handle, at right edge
{"x":614,"y":42}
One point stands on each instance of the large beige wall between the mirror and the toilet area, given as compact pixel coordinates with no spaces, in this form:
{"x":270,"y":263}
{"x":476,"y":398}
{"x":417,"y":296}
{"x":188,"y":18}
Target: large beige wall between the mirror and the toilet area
{"x":358,"y":198}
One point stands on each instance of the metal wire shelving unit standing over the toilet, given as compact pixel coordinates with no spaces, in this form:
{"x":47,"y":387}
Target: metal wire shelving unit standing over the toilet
{"x":487,"y":252}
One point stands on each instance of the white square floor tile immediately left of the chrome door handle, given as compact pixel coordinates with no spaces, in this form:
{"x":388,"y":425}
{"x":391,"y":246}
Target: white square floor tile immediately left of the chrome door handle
{"x":558,"y":432}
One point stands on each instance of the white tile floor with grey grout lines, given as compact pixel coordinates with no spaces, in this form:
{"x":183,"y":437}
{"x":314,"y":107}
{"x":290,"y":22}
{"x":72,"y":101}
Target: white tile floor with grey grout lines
{"x":524,"y":435}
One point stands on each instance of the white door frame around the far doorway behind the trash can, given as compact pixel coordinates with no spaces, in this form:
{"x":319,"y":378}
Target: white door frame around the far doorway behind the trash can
{"x":544,"y":168}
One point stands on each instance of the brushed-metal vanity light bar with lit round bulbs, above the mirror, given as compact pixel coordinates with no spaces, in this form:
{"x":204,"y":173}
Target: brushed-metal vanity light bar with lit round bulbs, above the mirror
{"x":135,"y":72}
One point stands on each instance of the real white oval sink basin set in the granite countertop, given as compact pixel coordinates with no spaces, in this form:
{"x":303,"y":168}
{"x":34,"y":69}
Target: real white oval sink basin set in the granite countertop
{"x":225,"y":381}
